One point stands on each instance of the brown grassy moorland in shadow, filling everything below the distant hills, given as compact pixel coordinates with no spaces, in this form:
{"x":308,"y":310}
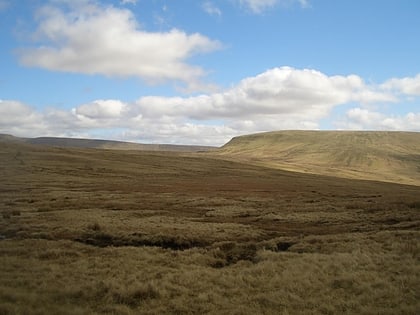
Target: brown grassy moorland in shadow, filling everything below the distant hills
{"x":88,"y":231}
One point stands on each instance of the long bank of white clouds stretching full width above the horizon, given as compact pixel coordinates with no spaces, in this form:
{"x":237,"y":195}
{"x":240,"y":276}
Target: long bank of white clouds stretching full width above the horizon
{"x":279,"y":98}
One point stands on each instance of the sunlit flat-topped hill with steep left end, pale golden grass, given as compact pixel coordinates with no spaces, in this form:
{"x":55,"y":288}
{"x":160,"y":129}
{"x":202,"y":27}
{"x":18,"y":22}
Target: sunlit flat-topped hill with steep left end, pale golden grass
{"x":373,"y":155}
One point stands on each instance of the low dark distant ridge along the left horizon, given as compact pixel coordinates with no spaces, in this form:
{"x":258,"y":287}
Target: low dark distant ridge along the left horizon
{"x":103,"y":144}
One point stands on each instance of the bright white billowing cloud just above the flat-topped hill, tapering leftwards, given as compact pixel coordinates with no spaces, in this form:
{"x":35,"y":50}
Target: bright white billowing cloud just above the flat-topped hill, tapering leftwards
{"x":280,"y":91}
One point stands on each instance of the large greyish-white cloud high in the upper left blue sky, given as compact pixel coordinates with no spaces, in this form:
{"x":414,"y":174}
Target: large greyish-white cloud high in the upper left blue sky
{"x":85,"y":37}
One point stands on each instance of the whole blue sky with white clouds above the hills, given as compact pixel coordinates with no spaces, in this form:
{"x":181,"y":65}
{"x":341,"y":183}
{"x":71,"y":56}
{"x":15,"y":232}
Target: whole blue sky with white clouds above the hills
{"x":203,"y":71}
